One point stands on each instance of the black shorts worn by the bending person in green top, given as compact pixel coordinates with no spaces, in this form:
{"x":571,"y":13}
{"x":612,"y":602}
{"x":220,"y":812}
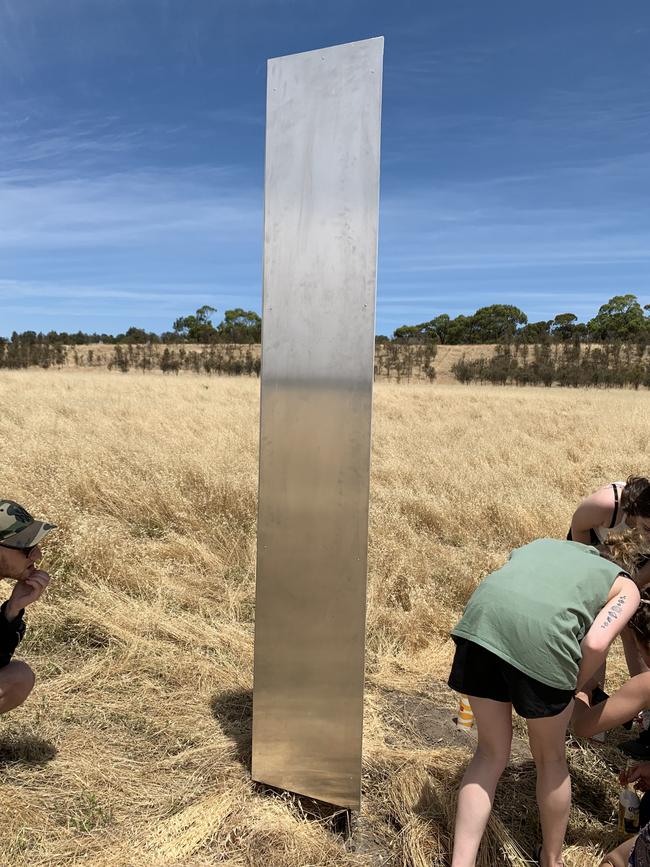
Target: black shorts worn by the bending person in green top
{"x":478,"y":672}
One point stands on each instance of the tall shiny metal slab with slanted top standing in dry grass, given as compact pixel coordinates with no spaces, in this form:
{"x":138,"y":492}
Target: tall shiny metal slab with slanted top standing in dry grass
{"x":320,"y":253}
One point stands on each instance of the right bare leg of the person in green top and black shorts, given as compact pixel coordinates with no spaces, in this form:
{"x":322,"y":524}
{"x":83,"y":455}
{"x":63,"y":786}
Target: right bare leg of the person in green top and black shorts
{"x":547,"y":744}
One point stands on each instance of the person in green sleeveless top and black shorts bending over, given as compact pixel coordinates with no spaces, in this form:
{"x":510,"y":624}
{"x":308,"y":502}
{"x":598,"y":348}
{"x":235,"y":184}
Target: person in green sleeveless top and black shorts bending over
{"x":531,"y":633}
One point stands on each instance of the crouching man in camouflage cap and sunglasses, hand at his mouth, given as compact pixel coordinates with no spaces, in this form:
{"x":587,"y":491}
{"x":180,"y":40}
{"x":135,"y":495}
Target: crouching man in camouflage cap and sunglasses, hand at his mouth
{"x":20,"y":535}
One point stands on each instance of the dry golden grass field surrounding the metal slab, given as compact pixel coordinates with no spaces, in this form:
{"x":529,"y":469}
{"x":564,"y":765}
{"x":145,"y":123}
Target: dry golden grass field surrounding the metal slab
{"x":134,"y":746}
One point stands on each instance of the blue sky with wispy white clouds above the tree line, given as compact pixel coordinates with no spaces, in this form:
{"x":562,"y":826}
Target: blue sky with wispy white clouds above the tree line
{"x":515,"y":155}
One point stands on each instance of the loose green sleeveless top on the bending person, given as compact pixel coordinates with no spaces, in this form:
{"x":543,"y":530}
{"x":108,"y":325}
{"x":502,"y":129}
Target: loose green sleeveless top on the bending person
{"x":535,"y":610}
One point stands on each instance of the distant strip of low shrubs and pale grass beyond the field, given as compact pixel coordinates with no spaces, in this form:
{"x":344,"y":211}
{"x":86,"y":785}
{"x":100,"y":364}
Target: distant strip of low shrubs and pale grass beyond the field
{"x":608,"y":365}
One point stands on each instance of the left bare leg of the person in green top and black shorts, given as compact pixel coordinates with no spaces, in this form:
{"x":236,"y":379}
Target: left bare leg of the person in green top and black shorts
{"x":494,"y":727}
